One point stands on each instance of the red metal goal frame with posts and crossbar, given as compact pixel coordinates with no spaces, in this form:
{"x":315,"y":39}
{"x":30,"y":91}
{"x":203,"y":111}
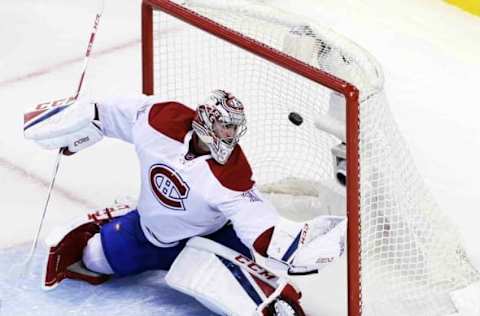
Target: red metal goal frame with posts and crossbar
{"x":349,"y":91}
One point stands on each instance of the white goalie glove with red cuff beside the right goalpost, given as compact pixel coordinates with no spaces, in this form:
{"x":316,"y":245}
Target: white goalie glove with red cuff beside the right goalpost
{"x":304,"y":248}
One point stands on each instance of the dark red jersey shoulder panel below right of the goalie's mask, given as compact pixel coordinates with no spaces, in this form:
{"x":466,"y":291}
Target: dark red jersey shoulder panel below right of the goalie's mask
{"x":236,"y":174}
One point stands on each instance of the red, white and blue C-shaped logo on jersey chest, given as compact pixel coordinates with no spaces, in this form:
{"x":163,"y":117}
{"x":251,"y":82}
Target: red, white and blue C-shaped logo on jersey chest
{"x":168,"y":187}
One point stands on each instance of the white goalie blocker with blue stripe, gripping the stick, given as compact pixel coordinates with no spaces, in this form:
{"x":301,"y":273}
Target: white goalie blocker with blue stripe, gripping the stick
{"x":67,"y":123}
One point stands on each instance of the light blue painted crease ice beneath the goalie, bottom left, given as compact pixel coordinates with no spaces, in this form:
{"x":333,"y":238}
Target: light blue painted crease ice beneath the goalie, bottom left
{"x":145,"y":294}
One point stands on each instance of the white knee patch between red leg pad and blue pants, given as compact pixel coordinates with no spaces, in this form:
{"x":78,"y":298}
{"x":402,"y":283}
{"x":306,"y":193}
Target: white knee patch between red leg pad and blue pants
{"x":94,"y":257}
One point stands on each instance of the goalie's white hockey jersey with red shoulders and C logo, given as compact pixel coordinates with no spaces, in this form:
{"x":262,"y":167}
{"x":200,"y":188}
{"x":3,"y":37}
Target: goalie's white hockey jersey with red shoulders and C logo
{"x":182,"y":197}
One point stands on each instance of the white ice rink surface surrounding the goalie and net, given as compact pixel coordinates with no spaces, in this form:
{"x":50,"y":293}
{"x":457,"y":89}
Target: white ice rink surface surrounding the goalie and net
{"x":430,"y":54}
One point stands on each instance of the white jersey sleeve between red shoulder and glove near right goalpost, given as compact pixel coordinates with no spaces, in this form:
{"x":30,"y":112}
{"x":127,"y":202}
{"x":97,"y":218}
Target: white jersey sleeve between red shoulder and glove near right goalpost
{"x":250,"y":213}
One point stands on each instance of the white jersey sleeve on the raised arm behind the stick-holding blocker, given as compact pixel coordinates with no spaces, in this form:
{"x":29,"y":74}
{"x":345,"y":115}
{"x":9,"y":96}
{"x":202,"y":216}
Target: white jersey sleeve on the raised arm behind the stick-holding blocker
{"x":119,"y":114}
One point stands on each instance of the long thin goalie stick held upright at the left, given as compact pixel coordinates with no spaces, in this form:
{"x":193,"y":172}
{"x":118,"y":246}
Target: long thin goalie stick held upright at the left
{"x":60,"y":152}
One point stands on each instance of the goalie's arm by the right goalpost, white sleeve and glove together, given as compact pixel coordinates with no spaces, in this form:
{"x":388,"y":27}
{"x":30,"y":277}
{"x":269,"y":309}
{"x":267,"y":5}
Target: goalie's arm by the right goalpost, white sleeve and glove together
{"x":298,"y":248}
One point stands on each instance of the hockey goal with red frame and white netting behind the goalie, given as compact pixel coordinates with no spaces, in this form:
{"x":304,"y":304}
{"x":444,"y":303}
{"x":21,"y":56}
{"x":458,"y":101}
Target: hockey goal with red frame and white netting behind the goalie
{"x":404,"y":256}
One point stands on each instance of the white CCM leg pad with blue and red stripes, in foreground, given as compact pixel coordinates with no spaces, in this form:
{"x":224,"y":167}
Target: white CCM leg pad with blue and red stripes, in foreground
{"x":229,"y":283}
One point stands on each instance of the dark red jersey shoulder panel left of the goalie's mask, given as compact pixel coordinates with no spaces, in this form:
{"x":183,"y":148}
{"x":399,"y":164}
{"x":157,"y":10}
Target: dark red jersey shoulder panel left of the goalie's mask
{"x":172,"y":119}
